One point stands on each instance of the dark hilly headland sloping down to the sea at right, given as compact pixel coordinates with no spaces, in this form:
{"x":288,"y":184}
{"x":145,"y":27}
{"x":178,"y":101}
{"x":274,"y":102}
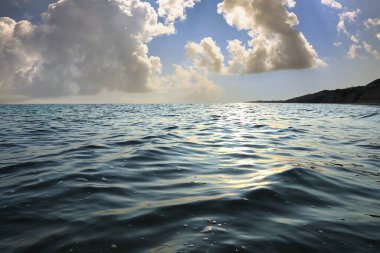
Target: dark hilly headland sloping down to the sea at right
{"x":368,"y":94}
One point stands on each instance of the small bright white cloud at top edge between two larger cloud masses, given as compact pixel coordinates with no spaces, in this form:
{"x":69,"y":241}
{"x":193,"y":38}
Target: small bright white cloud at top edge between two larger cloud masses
{"x":174,"y":9}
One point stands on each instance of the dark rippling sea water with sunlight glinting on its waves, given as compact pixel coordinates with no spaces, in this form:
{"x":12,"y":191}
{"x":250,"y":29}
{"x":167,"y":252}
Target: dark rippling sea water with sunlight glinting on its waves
{"x":190,"y":178}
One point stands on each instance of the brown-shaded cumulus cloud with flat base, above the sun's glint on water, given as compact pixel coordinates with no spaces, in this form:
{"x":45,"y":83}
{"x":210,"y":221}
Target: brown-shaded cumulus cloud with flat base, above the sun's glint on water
{"x":275,"y":44}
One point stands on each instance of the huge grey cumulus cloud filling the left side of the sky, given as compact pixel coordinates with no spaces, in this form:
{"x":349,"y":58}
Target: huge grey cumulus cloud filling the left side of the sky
{"x":81,"y":47}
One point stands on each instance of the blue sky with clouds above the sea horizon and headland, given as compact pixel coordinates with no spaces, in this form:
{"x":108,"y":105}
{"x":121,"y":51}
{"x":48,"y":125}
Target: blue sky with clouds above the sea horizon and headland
{"x":184,"y":51}
